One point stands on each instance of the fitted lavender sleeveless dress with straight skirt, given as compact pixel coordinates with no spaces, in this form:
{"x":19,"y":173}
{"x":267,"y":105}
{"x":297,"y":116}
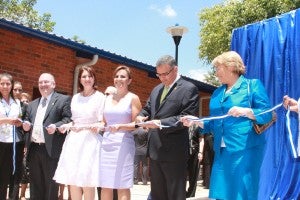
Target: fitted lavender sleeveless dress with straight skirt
{"x":118,"y":148}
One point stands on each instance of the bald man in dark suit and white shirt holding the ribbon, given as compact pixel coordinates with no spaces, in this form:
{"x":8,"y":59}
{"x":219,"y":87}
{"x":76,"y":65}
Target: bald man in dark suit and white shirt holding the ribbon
{"x":43,"y":116}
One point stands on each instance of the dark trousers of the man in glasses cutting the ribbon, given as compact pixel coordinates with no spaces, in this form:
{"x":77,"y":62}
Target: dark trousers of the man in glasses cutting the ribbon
{"x":168,"y":180}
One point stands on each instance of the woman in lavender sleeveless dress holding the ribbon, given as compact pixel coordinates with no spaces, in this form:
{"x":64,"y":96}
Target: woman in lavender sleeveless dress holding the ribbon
{"x":118,"y":147}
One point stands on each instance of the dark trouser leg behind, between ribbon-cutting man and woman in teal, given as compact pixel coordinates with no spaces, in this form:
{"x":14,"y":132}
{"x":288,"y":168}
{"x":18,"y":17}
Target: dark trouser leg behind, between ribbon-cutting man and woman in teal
{"x":193,"y":172}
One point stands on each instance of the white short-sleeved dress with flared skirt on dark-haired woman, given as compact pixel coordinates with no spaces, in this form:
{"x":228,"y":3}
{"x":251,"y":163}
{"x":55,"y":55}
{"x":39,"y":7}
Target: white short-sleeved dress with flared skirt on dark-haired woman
{"x":80,"y":157}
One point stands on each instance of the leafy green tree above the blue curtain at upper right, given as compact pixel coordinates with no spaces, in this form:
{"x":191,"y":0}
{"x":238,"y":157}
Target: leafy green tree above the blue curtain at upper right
{"x":218,"y":22}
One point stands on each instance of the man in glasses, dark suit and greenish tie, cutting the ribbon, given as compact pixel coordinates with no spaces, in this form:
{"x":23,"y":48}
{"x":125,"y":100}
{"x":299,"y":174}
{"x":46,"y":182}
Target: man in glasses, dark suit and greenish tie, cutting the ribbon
{"x":168,"y":147}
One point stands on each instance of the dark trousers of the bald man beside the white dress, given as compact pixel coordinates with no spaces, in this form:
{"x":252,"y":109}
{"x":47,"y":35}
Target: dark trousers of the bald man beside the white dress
{"x":41,"y":169}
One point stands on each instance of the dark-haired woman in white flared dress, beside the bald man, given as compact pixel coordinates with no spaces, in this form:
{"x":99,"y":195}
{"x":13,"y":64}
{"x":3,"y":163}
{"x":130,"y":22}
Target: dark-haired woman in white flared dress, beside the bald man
{"x":79,"y":161}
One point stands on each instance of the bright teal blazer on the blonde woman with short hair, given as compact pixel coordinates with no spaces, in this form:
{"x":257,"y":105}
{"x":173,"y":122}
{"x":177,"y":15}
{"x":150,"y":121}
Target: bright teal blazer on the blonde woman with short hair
{"x":237,"y":132}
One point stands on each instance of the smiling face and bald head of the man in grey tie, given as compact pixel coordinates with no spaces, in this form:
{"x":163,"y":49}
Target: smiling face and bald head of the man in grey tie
{"x":46,"y":84}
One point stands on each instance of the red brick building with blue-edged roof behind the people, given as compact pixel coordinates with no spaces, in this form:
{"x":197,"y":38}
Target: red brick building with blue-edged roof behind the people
{"x":25,"y":53}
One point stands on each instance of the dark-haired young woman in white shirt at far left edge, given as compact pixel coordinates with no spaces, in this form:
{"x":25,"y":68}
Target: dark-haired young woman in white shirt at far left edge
{"x":10,"y":119}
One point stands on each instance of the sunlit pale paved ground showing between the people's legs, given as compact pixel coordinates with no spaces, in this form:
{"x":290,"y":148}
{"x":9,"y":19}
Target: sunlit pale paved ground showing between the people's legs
{"x":140,"y":192}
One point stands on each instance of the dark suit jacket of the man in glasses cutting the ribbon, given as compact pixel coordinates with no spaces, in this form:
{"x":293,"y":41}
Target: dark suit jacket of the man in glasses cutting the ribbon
{"x":171,"y":144}
